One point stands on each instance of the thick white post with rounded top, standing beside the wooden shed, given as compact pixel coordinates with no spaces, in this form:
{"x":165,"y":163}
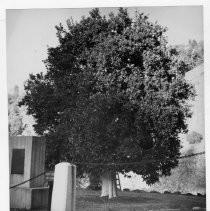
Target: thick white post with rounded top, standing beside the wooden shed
{"x":64,"y":188}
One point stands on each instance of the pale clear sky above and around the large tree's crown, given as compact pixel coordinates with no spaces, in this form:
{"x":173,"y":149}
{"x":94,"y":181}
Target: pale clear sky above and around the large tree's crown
{"x":30,"y":31}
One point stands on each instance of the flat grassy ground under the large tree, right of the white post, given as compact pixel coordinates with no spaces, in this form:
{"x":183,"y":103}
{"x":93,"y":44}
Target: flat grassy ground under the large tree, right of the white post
{"x":130,"y":201}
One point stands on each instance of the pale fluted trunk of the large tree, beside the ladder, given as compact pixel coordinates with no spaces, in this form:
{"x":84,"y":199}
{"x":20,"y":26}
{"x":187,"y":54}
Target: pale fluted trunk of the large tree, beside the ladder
{"x":109,"y":186}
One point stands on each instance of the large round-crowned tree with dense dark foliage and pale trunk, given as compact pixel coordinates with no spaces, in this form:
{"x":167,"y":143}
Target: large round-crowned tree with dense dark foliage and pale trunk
{"x":114,"y":92}
